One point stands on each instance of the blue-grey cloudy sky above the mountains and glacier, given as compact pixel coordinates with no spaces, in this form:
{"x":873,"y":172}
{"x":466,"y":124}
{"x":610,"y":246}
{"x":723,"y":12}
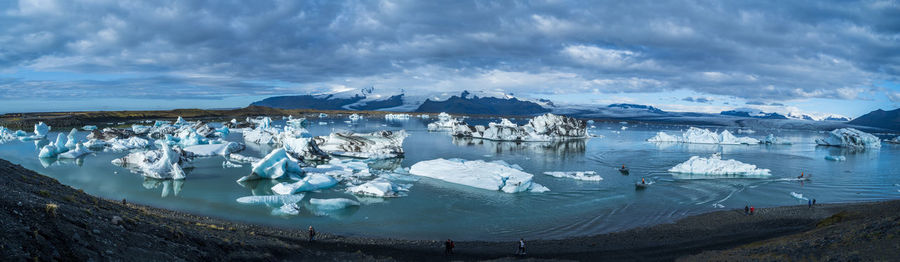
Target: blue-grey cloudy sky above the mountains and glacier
{"x":817,"y":57}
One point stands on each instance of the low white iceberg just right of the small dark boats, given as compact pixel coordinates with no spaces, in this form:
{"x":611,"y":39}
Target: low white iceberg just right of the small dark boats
{"x":715,"y":166}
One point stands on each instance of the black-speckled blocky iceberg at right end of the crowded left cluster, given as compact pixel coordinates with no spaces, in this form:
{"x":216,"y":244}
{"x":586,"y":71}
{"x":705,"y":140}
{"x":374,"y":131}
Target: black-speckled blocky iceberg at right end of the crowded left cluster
{"x":375,"y":145}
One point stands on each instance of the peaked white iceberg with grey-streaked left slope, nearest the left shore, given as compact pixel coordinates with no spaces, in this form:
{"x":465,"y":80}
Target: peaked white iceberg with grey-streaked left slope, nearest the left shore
{"x":163,"y":163}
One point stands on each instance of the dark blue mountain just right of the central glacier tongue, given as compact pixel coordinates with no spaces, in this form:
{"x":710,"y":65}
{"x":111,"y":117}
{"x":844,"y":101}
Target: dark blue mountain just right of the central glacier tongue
{"x":462,"y":104}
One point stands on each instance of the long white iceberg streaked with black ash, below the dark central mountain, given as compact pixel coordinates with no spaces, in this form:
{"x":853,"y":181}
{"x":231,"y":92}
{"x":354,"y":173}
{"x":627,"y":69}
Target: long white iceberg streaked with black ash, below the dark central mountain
{"x":548,"y":127}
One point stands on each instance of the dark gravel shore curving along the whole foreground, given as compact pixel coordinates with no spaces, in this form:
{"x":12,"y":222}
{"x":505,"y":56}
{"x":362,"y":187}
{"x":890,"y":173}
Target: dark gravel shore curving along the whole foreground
{"x":45,"y":220}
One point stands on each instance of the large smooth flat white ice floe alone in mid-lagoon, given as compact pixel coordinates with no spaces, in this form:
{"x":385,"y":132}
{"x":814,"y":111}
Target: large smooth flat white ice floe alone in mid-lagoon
{"x":497,"y":175}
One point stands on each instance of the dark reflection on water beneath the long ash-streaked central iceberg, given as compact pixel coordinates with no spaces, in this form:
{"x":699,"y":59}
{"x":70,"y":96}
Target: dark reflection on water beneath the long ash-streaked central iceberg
{"x":564,"y":148}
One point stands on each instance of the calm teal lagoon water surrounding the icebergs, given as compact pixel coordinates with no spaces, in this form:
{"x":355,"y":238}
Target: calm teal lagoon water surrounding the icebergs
{"x":437,"y":210}
